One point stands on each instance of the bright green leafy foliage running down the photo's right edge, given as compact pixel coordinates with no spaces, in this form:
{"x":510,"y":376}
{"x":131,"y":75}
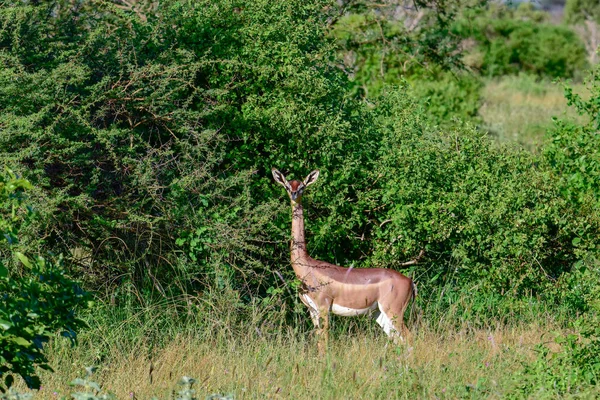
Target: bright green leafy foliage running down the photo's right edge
{"x":573,"y":159}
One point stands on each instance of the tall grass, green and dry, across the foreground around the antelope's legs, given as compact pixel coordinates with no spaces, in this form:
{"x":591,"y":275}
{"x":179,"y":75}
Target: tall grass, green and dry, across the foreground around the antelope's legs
{"x":259,"y":351}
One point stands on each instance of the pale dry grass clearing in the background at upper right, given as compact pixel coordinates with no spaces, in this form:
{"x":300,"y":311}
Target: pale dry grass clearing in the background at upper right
{"x":520,"y":109}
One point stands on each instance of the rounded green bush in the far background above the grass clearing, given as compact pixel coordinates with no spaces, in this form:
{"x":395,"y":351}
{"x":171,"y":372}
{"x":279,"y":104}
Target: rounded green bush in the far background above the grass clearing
{"x":510,"y":42}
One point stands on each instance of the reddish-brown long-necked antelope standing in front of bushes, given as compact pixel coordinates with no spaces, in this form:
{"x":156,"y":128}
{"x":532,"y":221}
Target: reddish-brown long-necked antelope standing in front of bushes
{"x":327,"y":288}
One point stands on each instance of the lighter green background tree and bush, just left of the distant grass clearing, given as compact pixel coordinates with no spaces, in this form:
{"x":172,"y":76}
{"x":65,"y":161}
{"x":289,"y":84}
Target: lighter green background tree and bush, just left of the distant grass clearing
{"x":388,"y":43}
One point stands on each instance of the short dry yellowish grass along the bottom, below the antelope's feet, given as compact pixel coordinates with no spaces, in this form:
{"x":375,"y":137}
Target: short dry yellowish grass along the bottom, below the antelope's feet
{"x":454,"y":364}
